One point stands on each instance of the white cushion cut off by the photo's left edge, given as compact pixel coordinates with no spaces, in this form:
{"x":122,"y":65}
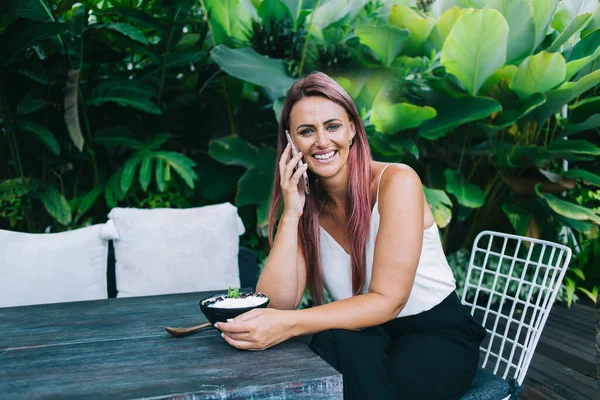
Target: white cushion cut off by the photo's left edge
{"x":52,"y":267}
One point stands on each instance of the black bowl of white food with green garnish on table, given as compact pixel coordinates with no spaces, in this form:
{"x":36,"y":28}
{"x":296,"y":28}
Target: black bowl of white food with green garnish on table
{"x":224,"y":306}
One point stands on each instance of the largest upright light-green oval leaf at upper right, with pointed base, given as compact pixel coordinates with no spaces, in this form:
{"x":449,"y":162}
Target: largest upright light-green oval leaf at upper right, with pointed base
{"x":475,"y":48}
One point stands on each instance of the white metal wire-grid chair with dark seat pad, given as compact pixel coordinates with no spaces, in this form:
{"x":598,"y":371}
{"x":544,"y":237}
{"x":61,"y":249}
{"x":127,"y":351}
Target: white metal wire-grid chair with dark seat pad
{"x":511,"y":284}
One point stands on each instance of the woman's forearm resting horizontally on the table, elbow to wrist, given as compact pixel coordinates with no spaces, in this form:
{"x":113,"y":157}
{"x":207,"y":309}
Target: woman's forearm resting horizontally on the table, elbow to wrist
{"x":353,"y":313}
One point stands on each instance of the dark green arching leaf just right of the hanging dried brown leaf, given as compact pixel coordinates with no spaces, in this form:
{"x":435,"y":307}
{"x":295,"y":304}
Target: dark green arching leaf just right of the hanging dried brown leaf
{"x":124,"y":92}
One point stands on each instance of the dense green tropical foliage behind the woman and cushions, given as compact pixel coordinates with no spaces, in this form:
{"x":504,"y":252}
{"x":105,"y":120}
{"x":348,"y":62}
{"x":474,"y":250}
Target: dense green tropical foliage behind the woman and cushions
{"x":156,"y":103}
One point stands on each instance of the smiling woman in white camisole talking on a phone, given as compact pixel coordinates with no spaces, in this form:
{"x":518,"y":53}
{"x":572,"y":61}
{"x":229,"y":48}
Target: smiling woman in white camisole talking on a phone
{"x":365,"y":232}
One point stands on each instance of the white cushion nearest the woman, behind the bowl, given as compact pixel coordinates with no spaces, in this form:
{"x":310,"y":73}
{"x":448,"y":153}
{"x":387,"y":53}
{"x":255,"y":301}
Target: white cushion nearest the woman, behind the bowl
{"x":167,"y":250}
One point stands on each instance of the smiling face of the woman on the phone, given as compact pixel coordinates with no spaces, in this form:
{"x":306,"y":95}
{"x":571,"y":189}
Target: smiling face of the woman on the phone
{"x":321,"y":130}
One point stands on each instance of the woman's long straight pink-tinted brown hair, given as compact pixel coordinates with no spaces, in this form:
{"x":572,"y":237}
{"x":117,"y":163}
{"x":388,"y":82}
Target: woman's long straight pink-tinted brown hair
{"x":358,"y":196}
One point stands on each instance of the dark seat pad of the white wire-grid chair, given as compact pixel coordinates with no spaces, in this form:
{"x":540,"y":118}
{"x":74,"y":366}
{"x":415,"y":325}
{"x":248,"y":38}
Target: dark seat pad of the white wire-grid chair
{"x":487,"y":386}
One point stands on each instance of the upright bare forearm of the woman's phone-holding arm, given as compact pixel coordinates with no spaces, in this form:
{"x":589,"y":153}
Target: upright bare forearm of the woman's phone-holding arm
{"x":279,"y":278}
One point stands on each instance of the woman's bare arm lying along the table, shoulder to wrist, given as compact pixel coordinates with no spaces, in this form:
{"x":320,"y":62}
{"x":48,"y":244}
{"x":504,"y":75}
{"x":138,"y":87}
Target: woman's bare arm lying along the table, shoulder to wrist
{"x":397,"y":252}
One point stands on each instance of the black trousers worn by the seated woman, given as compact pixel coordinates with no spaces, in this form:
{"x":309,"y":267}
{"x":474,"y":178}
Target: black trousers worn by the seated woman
{"x":429,"y":356}
